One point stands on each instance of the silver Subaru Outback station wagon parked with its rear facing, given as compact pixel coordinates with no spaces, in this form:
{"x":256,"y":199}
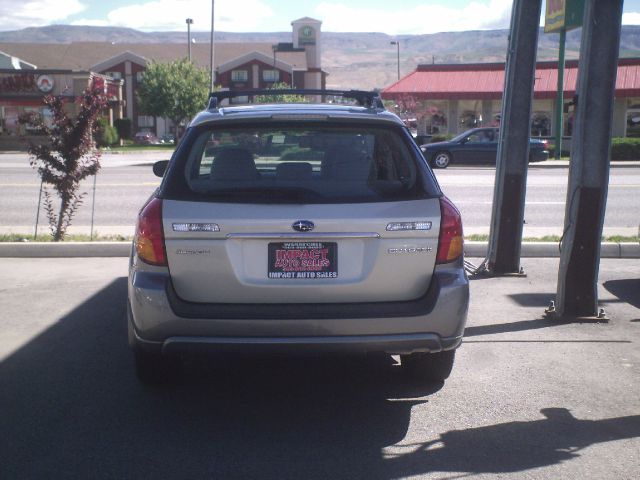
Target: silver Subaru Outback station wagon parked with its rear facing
{"x":297,"y":228}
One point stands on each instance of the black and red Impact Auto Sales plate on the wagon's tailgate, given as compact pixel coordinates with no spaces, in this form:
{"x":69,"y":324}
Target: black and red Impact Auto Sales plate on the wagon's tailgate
{"x":303,"y":260}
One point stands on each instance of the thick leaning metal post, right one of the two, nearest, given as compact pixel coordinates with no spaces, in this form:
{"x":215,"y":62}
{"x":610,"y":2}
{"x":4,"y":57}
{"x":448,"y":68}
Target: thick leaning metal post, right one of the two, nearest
{"x":577,"y":294}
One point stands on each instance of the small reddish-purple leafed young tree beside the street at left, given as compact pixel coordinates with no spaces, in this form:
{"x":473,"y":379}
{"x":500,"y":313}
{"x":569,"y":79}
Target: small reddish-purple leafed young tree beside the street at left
{"x":69,"y":156}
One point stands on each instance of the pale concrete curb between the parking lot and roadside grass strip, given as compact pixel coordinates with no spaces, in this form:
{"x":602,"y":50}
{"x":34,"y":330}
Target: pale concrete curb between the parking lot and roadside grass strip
{"x":123,"y":249}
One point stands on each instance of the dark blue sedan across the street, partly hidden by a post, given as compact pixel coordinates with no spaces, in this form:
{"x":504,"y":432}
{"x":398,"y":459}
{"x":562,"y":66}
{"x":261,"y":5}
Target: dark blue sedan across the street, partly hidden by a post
{"x":478,"y":145}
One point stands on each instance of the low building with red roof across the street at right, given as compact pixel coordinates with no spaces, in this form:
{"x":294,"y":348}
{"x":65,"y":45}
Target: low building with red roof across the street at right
{"x":448,"y":99}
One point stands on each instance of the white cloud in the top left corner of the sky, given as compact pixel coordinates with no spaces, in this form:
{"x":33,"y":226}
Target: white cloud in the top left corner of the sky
{"x":16,"y":15}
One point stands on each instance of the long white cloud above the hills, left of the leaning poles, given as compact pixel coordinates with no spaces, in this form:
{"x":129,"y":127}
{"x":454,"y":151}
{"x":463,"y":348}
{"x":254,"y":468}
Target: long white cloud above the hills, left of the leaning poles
{"x":477,"y":15}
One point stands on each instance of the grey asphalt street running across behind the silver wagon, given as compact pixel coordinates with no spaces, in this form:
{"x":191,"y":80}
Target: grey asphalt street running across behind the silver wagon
{"x":123,"y":185}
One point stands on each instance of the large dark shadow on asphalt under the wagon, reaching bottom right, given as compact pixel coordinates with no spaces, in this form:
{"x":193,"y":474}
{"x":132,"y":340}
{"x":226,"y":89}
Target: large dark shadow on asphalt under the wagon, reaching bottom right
{"x":71,"y":407}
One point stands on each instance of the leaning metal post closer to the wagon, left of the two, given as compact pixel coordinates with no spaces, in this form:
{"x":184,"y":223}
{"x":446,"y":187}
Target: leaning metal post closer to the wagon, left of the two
{"x":507,"y":216}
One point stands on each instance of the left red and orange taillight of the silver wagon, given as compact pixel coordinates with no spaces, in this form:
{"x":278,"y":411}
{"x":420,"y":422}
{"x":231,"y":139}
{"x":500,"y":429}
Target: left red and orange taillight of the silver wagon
{"x":149,"y":238}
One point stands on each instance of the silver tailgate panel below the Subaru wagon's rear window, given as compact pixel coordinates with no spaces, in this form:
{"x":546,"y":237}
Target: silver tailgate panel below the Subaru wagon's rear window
{"x":258,"y":257}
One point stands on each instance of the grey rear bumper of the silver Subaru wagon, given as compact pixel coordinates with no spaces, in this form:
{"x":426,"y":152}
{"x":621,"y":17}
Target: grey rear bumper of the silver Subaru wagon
{"x":160,"y":321}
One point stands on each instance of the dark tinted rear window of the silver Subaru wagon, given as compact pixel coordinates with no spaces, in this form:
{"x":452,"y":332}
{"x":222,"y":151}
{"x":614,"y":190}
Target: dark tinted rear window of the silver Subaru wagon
{"x":300,"y":164}
